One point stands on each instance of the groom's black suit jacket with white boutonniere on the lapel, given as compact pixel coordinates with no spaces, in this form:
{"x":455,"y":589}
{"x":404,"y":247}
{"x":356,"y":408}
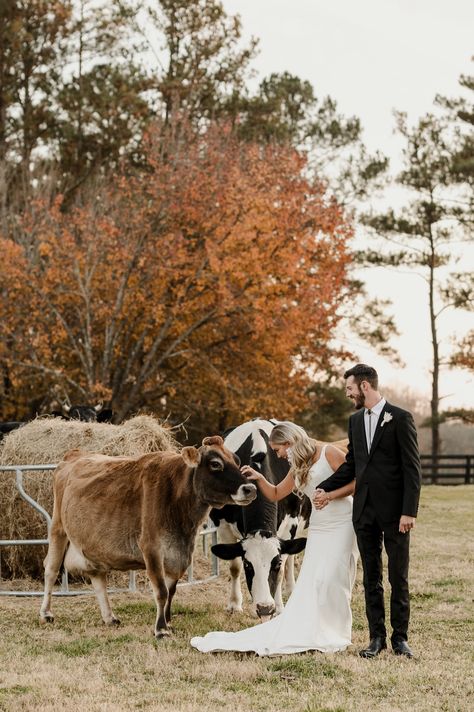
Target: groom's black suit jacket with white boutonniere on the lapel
{"x":390,"y":472}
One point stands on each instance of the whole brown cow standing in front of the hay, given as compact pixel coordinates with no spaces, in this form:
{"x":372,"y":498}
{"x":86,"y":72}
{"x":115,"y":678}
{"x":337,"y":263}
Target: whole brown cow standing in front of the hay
{"x":123,"y":513}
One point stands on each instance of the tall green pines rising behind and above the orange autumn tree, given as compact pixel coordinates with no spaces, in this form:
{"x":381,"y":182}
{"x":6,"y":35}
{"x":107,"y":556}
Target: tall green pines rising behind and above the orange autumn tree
{"x":81,"y":80}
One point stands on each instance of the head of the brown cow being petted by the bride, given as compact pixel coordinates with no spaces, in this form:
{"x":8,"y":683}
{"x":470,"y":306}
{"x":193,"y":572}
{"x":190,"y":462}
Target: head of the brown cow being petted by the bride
{"x":217,"y":478}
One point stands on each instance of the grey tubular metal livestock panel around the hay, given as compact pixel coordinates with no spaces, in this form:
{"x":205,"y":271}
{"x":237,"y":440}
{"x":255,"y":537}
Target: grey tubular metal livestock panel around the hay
{"x":209,"y":530}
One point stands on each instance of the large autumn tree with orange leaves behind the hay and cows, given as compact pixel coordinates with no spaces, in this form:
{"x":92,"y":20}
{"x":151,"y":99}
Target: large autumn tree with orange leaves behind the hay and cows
{"x":202,"y":287}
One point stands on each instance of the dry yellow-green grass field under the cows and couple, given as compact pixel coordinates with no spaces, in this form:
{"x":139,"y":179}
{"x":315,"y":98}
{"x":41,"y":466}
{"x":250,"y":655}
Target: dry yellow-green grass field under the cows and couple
{"x":78,"y":663}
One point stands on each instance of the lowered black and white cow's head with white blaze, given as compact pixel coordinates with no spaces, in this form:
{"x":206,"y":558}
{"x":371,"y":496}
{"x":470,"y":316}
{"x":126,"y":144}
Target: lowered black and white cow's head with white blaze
{"x":261,"y":553}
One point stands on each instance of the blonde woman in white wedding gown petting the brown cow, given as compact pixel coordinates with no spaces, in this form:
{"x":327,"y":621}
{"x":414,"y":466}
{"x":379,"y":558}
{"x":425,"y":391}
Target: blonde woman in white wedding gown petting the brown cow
{"x":317,"y":615}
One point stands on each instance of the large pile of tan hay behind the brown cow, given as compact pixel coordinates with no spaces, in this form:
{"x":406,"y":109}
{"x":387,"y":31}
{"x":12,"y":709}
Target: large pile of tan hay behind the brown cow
{"x":45,"y":441}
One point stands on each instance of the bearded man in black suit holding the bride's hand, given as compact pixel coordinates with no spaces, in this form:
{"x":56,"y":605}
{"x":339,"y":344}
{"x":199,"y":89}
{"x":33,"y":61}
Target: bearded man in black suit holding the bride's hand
{"x":383,"y":458}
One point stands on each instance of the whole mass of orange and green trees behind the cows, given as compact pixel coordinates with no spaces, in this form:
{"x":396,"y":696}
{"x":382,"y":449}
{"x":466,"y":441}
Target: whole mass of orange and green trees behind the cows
{"x":171,"y":241}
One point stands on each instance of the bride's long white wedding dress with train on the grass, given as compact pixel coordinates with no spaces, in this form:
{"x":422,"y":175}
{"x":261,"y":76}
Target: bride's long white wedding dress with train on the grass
{"x":318,"y":614}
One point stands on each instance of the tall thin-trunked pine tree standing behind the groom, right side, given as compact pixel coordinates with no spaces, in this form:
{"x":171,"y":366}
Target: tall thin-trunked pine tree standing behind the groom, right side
{"x":422,"y":236}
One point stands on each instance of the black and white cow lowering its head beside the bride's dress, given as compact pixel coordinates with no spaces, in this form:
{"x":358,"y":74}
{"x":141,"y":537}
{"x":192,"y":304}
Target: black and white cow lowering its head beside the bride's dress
{"x":264,"y":535}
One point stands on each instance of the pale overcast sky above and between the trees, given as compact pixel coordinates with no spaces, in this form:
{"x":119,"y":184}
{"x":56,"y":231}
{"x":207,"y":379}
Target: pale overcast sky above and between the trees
{"x":374,"y":56}
